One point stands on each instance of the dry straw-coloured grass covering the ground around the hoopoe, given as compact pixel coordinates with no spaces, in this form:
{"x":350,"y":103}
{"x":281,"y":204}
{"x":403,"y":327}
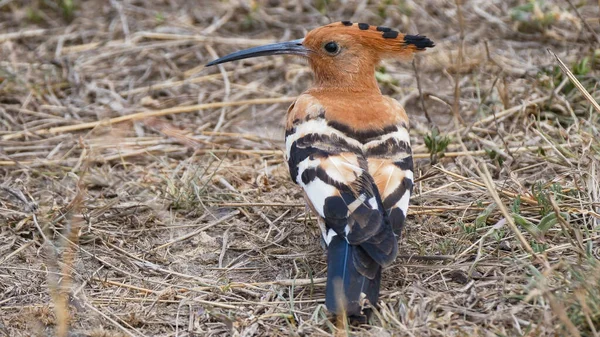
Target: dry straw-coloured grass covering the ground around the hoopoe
{"x":142,"y":195}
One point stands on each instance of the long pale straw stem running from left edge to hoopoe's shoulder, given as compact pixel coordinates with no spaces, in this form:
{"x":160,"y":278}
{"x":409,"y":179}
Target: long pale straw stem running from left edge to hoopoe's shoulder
{"x":146,"y":114}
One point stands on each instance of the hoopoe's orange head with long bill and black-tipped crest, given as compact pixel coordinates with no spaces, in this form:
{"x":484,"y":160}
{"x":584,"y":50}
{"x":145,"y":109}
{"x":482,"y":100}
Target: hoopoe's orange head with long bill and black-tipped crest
{"x":342,"y":54}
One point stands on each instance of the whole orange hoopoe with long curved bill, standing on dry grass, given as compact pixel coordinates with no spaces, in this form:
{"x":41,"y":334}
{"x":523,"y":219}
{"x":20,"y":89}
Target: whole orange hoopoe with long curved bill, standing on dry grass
{"x":348,"y":147}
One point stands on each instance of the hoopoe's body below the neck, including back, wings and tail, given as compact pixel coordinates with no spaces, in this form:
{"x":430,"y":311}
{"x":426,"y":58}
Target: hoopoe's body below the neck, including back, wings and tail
{"x":350,"y":152}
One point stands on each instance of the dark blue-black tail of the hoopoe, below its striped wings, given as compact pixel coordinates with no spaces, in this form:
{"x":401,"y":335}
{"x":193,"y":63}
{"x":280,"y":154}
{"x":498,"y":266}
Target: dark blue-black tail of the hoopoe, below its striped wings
{"x":344,"y":282}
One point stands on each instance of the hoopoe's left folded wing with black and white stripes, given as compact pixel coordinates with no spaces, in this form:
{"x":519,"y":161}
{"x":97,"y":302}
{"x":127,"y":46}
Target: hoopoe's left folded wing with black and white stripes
{"x":333,"y":172}
